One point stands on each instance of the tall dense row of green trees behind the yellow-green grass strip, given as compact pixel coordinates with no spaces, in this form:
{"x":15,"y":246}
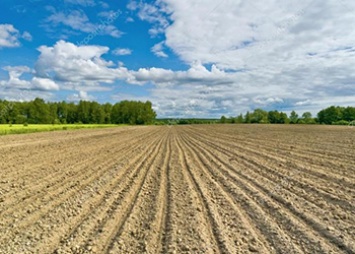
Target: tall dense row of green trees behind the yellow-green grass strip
{"x":87,"y":112}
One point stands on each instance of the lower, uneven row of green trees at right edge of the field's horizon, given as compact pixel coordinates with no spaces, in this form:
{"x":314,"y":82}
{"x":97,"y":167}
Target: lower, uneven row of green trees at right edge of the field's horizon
{"x":330,"y":115}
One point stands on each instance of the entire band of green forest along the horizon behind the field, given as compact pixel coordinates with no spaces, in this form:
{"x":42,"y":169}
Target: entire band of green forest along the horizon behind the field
{"x":138,"y":113}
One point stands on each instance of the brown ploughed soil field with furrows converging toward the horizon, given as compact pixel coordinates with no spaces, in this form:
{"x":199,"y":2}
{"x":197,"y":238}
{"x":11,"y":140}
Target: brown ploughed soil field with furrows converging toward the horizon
{"x":180,"y":189}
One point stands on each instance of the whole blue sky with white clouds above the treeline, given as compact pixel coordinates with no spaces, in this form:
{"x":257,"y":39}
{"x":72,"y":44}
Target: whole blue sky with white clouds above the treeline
{"x":195,"y":58}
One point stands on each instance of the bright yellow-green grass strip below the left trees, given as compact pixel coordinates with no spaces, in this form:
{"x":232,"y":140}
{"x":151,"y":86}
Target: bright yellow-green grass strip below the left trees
{"x":20,"y":128}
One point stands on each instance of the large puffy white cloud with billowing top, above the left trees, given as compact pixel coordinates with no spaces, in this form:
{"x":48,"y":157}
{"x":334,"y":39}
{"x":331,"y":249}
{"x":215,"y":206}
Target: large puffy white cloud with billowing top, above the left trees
{"x":78,"y":65}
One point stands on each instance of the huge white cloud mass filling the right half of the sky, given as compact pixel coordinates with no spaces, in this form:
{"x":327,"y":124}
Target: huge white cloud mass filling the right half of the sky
{"x":271,"y":54}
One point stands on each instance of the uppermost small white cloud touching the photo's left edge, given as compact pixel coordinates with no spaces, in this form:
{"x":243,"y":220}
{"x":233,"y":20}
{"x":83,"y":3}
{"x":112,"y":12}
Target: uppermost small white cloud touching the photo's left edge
{"x":9,"y":36}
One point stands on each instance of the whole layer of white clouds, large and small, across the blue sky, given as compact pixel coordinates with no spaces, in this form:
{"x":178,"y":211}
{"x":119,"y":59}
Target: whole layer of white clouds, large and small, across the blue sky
{"x":241,"y":55}
